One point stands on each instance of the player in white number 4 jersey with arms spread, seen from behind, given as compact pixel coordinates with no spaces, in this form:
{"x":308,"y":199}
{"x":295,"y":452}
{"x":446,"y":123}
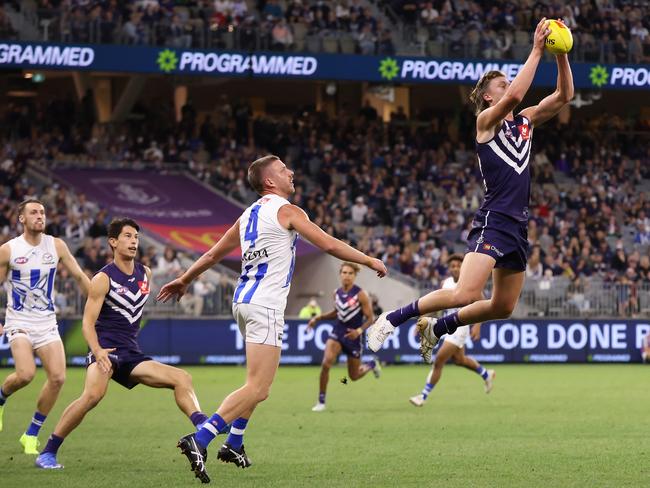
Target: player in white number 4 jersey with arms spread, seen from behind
{"x":267,"y":232}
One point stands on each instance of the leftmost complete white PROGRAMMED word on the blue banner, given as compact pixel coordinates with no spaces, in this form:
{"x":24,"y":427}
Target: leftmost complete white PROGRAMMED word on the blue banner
{"x":258,"y":64}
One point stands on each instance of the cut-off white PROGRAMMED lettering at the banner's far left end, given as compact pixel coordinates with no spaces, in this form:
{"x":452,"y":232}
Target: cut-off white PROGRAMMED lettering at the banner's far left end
{"x":34,"y":54}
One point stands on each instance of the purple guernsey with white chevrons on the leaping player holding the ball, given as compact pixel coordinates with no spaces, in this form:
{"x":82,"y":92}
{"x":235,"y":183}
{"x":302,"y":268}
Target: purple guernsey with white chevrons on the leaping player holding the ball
{"x":503,"y":162}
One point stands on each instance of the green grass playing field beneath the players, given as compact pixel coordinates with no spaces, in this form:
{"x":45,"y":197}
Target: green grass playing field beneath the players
{"x":550,"y":426}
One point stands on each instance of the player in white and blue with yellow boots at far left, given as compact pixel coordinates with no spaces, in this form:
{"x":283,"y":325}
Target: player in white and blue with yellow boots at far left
{"x":29,"y":264}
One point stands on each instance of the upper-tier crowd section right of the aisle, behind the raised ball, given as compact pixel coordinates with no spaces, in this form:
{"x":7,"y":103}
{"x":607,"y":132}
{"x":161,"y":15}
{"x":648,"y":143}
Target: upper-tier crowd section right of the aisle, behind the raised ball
{"x":605,"y":31}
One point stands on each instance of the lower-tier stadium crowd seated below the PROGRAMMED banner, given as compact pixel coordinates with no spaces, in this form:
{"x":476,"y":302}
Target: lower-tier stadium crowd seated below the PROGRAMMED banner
{"x":404,"y":191}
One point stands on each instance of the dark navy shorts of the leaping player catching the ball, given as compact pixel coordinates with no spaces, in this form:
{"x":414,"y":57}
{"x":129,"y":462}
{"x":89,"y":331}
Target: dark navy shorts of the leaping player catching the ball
{"x":501,"y":237}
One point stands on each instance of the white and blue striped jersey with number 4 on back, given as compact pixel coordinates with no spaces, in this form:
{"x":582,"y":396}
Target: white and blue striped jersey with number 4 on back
{"x":268,"y":255}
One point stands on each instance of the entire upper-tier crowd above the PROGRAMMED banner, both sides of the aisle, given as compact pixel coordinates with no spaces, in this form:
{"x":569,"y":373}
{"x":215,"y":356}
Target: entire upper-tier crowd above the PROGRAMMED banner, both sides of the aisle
{"x":604,"y":31}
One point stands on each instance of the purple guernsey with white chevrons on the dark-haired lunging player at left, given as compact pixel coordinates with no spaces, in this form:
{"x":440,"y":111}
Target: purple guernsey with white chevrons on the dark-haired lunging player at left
{"x":118,"y":323}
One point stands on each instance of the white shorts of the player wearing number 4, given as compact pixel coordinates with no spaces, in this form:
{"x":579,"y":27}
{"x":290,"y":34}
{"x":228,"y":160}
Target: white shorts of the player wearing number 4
{"x":259,"y":325}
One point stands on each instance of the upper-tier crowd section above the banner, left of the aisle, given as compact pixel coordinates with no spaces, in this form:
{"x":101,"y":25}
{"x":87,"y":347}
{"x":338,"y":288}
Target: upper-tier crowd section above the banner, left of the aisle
{"x":313,"y":25}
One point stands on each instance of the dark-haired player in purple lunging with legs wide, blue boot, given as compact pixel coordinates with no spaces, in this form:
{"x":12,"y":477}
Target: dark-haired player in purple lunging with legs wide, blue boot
{"x":111,"y":322}
